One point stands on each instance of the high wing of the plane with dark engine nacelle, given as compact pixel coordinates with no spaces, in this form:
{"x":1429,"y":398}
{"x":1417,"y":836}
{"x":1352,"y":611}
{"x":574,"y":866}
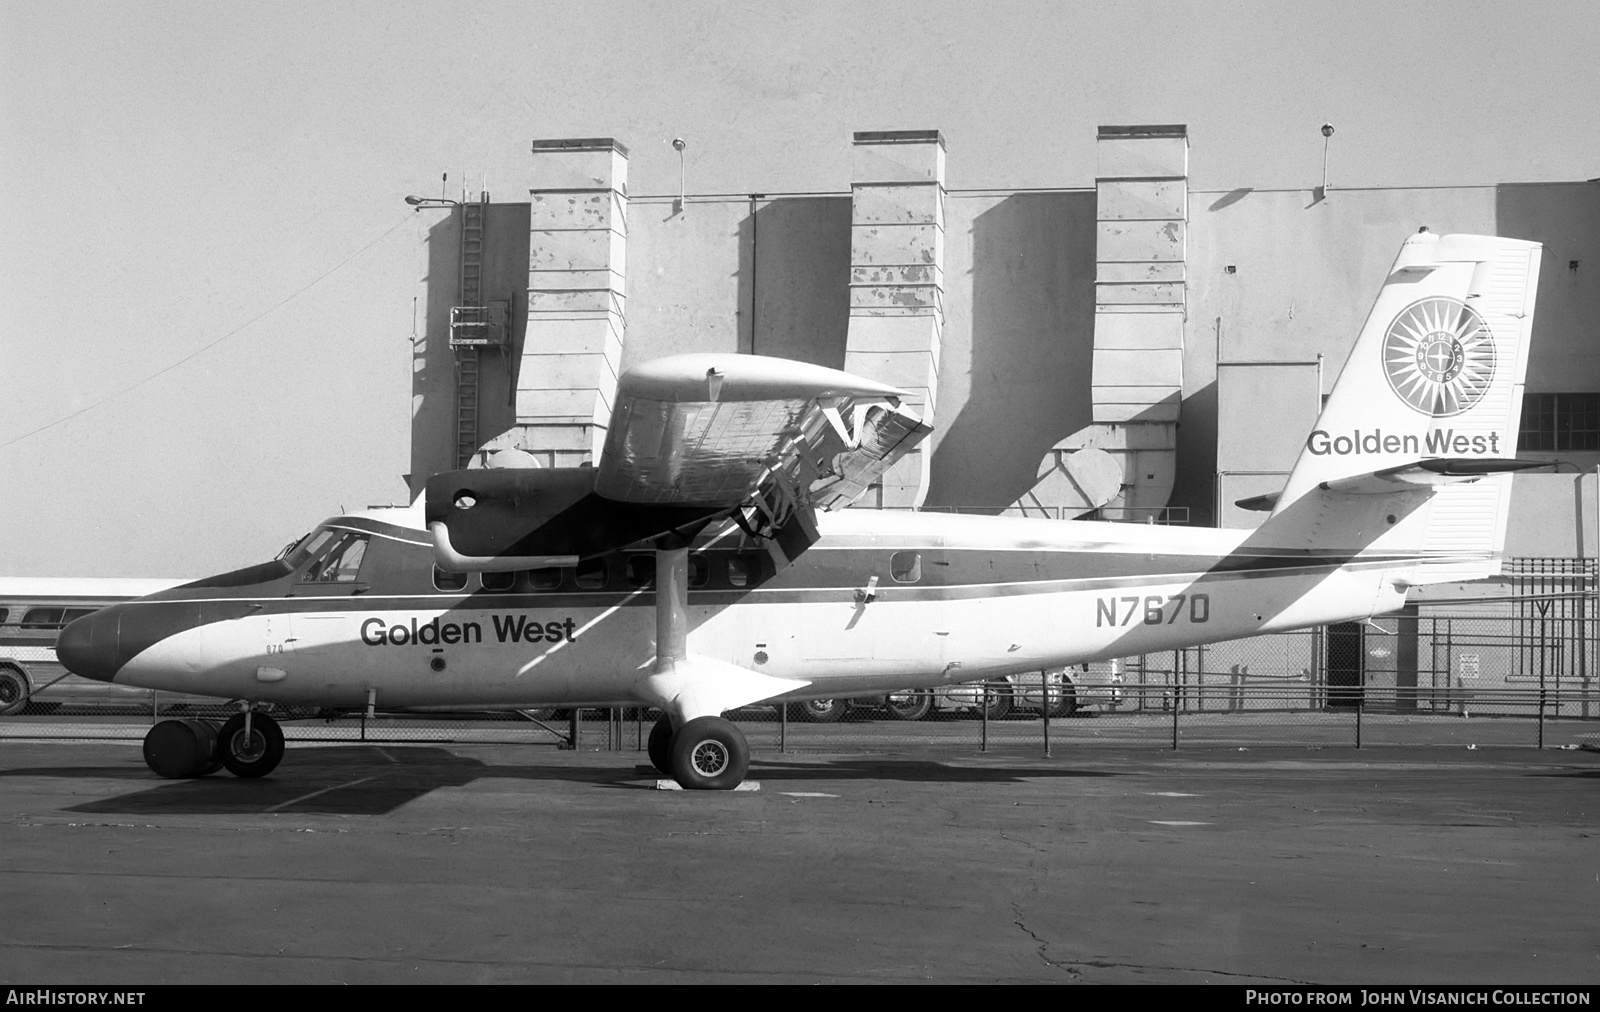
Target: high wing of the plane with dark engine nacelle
{"x":692,"y":438}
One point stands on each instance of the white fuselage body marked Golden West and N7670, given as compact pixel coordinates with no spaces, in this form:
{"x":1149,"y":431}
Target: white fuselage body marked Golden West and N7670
{"x":975,"y":598}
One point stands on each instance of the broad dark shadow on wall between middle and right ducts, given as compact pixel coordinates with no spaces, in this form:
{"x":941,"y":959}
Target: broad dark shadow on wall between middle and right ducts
{"x":1033,"y":348}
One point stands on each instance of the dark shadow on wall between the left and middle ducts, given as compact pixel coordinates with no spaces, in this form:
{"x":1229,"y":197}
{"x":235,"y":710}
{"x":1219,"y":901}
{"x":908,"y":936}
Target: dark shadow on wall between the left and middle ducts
{"x":794,"y":279}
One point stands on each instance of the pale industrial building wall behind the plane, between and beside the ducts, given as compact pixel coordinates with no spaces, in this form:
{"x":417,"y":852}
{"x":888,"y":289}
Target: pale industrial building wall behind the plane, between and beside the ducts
{"x":1274,"y":276}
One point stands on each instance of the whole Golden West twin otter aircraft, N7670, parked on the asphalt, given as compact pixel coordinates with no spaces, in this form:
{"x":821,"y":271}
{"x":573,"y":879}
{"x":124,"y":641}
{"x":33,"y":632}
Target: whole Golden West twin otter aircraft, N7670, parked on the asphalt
{"x":703,"y":563}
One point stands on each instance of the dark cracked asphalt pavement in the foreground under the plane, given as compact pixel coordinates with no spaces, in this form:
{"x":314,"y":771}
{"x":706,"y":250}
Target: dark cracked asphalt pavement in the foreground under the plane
{"x":526,"y":864}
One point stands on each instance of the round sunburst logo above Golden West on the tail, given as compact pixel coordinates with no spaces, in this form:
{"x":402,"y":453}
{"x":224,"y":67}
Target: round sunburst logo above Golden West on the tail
{"x":1439,"y":356}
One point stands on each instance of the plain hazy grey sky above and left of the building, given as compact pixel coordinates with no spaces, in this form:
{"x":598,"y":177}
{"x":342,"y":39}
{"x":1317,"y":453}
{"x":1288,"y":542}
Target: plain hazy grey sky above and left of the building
{"x":191,"y":175}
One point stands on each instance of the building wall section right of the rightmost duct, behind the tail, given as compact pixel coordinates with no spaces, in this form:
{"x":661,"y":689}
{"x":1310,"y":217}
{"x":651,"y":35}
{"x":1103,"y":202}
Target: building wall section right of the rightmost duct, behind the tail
{"x":1281,"y":276}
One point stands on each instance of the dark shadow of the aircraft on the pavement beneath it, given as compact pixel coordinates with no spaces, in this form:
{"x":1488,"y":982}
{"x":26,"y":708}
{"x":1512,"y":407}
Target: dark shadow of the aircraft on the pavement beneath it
{"x":369,"y":781}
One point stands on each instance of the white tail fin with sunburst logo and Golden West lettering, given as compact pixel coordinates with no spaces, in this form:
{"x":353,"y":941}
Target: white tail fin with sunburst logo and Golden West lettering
{"x":1436,"y":375}
